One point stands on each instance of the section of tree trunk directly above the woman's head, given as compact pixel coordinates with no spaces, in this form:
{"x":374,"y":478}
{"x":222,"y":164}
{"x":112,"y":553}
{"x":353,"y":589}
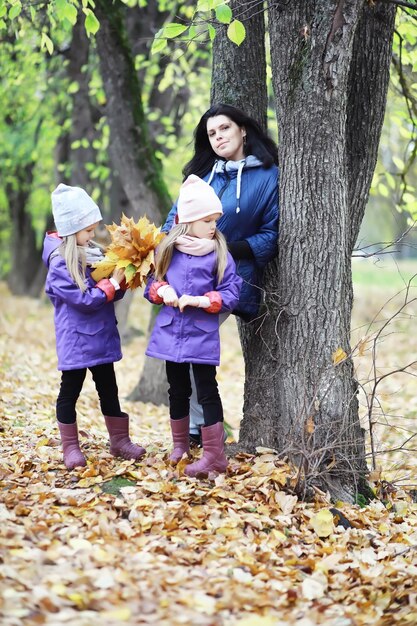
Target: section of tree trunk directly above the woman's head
{"x":239,"y":72}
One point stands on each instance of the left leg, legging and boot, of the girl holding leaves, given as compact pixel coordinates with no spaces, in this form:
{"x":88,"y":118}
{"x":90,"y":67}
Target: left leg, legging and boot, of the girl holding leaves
{"x":71,"y":385}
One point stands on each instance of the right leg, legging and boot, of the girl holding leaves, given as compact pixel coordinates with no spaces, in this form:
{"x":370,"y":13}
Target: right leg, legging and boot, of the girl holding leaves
{"x":117,"y":422}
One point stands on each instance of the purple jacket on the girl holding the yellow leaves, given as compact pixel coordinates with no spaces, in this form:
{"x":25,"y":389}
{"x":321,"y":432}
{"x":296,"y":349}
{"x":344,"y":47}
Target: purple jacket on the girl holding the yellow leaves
{"x":85,"y":323}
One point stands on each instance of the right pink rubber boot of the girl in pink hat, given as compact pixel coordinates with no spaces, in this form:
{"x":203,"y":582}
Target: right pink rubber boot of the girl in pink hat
{"x":214,"y":458}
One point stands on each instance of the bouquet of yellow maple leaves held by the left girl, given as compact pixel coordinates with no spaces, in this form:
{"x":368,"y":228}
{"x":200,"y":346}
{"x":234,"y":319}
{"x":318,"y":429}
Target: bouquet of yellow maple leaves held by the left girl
{"x":132,"y":249}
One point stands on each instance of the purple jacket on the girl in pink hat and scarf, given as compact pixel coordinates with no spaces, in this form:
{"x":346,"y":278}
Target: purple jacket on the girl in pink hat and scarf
{"x":193,"y":336}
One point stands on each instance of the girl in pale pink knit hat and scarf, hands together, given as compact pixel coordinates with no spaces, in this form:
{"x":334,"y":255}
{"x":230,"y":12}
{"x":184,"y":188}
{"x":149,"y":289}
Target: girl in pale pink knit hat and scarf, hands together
{"x":195,"y":281}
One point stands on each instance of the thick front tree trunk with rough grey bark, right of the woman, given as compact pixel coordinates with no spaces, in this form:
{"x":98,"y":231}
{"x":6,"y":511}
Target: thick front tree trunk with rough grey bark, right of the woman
{"x":301,"y":402}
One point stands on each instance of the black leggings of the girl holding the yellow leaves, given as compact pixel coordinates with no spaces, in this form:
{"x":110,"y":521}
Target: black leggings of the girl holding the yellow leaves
{"x":72,"y":383}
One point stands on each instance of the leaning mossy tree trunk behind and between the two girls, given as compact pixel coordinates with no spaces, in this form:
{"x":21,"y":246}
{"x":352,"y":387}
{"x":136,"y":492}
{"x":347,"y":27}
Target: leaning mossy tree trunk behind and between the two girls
{"x":131,"y":152}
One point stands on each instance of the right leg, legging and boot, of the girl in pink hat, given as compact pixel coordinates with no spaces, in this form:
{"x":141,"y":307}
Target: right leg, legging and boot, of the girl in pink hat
{"x":213,"y":459}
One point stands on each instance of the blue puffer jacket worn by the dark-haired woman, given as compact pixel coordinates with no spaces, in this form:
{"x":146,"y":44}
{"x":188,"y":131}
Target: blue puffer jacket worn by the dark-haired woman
{"x":249,"y":196}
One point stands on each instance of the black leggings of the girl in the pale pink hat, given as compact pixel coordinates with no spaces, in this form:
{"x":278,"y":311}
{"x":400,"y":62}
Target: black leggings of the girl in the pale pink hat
{"x":178,"y":375}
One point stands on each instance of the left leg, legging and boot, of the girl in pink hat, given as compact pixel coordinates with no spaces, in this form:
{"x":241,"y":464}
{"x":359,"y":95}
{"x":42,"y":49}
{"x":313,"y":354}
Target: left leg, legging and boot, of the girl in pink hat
{"x":179,"y":392}
